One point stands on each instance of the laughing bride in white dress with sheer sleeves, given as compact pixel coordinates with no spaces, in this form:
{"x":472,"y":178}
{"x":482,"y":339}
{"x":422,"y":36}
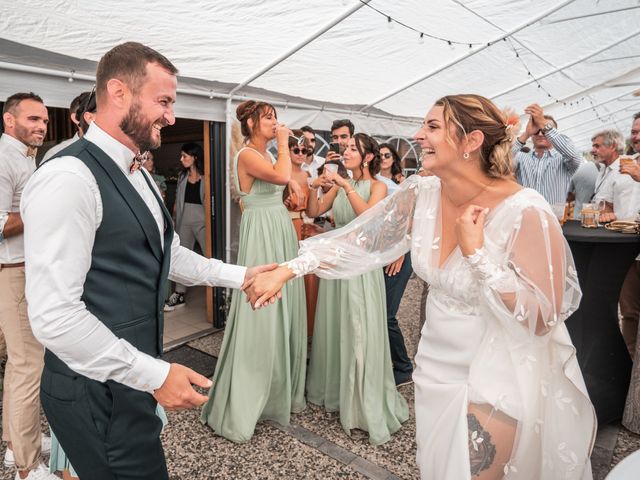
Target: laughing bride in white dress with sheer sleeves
{"x":498,"y":390}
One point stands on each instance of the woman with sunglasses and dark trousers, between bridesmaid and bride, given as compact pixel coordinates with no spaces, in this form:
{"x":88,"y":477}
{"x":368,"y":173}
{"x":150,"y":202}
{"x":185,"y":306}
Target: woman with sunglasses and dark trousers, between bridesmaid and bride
{"x":396,"y":274}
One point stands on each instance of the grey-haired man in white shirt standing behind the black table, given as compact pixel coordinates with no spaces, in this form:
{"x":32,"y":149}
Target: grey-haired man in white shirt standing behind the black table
{"x":612,"y":187}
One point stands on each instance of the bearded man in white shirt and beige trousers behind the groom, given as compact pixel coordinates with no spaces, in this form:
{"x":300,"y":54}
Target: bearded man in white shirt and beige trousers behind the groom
{"x":25,"y":125}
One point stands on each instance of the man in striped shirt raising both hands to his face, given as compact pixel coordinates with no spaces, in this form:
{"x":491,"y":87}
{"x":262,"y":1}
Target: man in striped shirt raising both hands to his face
{"x":548,"y":168}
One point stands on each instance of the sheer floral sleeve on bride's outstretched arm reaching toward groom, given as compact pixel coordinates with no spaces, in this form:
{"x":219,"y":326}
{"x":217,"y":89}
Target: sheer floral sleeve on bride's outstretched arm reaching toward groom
{"x":374,"y":239}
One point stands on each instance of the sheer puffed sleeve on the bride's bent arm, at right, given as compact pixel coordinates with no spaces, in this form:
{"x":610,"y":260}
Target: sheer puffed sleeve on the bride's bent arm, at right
{"x":538,"y":286}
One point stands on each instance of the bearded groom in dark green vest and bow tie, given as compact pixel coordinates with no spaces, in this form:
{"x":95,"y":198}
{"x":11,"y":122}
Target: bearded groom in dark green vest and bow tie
{"x":99,"y":247}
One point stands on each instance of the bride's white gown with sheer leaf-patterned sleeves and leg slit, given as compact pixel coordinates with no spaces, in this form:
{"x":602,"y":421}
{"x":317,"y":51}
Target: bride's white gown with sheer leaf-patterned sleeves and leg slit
{"x":494,"y":332}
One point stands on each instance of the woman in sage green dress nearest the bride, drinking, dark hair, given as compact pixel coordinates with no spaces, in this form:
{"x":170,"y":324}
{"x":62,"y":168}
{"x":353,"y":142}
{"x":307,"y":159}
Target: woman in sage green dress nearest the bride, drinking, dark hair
{"x":350,"y":368}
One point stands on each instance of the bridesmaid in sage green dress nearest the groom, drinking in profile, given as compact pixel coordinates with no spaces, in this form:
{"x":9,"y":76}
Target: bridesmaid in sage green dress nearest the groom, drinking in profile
{"x":261,"y":369}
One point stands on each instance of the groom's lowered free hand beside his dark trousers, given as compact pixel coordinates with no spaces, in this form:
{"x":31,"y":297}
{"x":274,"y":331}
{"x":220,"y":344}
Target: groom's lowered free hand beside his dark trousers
{"x":177,"y":391}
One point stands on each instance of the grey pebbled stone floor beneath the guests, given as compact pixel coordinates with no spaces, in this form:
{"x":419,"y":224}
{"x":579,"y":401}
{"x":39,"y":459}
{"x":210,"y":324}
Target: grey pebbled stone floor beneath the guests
{"x":314,"y":445}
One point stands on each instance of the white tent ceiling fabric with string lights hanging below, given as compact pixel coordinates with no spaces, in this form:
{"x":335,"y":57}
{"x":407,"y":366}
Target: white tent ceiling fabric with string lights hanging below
{"x":579,"y":52}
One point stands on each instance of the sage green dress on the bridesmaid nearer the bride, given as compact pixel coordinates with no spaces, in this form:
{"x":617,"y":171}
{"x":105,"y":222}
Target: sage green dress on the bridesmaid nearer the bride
{"x":350,"y":370}
